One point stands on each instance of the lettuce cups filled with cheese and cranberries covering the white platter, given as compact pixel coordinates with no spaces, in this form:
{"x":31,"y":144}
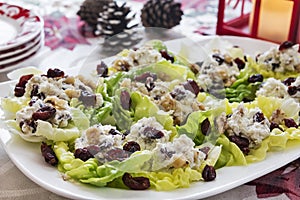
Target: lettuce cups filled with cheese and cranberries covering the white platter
{"x":152,"y":119}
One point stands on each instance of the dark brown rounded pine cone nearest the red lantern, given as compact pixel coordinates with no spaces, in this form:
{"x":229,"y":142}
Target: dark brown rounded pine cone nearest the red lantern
{"x":161,"y":13}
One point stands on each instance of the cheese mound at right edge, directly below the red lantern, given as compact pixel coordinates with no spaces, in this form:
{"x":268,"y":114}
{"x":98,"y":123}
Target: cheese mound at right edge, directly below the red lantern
{"x":287,"y":60}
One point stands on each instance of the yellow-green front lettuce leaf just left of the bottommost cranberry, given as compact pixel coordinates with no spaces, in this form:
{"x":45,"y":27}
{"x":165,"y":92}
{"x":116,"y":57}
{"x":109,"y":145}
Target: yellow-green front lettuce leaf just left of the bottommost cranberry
{"x":90,"y":172}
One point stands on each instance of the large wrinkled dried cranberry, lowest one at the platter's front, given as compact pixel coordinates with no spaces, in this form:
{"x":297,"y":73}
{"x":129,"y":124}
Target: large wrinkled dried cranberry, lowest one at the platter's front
{"x":135,"y":183}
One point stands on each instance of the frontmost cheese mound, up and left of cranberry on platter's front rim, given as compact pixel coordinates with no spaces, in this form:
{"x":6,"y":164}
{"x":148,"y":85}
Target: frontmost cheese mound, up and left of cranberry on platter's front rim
{"x":178,"y":153}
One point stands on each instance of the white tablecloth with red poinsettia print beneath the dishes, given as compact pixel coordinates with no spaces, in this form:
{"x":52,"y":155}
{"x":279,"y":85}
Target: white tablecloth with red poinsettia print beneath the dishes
{"x":199,"y":20}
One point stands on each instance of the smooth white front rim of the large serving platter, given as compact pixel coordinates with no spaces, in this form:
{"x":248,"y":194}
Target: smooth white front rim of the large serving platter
{"x":273,"y":161}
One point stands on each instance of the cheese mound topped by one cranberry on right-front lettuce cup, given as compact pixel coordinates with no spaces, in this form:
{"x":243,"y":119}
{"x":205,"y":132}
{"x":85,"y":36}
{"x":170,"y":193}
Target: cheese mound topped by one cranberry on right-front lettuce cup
{"x":242,"y":123}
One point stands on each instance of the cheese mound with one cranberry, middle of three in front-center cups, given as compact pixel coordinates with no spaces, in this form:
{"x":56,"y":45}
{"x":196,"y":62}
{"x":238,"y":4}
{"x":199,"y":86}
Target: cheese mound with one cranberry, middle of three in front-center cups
{"x":147,"y":132}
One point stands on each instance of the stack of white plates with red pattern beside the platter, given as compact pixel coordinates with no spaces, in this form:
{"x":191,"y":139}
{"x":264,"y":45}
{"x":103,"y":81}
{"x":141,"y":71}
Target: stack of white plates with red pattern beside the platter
{"x":21,"y":35}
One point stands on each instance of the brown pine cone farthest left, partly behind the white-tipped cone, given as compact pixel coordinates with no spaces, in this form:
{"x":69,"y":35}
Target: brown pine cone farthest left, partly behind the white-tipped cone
{"x":89,"y":11}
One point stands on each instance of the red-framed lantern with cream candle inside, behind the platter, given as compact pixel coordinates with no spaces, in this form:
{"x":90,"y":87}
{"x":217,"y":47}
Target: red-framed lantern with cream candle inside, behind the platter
{"x":273,"y":20}
